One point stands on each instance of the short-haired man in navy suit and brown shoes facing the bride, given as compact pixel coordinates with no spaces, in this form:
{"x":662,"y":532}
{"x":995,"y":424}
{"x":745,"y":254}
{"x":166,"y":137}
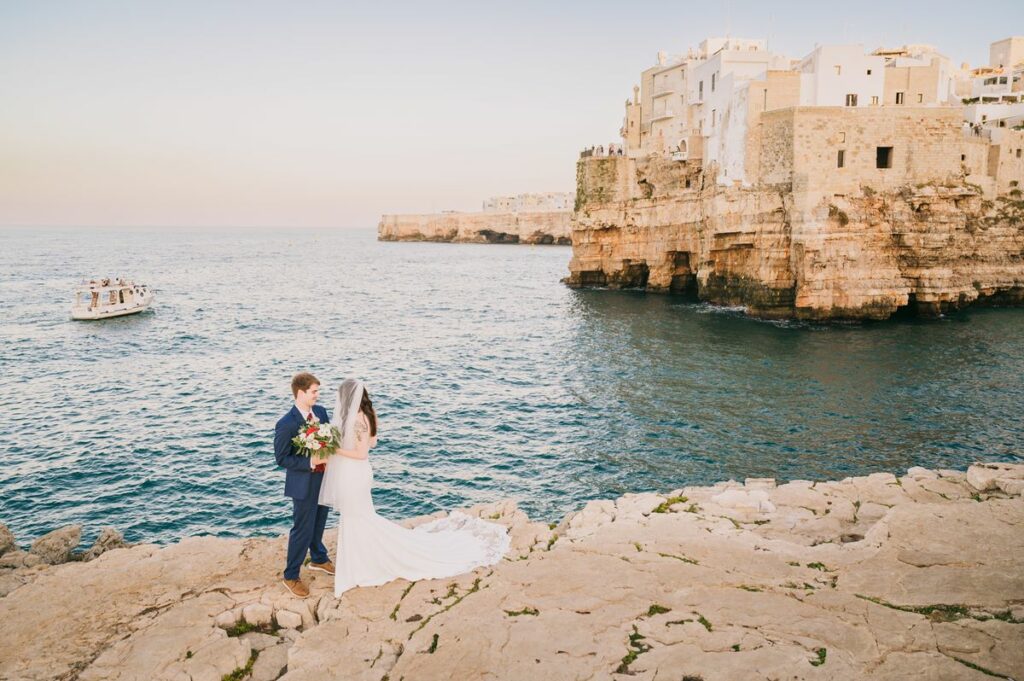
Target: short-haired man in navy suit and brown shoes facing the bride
{"x":303,"y":483}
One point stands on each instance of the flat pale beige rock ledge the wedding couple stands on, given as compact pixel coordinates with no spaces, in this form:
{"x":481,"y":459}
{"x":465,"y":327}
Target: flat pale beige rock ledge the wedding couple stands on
{"x":919,"y":577}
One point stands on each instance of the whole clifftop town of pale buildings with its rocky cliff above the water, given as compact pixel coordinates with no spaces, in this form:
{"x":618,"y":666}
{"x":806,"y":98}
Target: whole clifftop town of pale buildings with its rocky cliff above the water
{"x":845,"y":185}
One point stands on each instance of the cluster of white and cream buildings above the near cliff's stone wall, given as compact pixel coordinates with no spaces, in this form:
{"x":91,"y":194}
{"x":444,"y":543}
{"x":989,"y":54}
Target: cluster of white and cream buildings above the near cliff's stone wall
{"x":702,"y":107}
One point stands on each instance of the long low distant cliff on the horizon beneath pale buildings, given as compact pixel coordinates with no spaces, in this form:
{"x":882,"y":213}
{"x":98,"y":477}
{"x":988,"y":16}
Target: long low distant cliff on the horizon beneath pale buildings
{"x":532,"y":228}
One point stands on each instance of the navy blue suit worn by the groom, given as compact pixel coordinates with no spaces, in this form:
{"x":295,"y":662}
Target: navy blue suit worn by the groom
{"x":303,"y":485}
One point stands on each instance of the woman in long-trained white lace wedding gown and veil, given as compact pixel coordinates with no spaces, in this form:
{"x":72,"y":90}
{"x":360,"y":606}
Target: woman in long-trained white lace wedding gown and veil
{"x":372,"y":550}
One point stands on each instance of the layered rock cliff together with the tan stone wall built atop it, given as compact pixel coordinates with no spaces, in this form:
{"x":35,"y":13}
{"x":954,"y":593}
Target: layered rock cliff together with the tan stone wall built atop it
{"x":807,"y":240}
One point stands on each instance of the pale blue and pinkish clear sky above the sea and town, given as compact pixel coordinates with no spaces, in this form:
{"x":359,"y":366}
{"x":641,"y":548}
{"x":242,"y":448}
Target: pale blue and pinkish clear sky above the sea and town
{"x":330,"y":114}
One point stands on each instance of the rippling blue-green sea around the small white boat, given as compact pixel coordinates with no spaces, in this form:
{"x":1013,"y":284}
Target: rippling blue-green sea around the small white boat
{"x":492,"y":380}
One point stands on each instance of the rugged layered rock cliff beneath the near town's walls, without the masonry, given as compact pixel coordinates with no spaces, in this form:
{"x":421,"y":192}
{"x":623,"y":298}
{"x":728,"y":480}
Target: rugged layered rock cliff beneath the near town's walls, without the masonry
{"x":929,"y":248}
